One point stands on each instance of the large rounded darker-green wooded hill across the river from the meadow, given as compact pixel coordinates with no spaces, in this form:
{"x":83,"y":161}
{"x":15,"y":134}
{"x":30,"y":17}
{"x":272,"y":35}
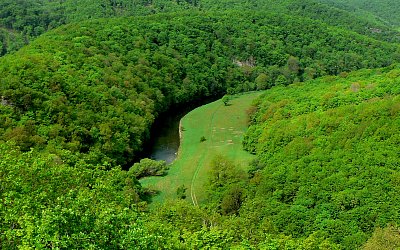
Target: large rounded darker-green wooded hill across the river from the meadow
{"x":96,"y":87}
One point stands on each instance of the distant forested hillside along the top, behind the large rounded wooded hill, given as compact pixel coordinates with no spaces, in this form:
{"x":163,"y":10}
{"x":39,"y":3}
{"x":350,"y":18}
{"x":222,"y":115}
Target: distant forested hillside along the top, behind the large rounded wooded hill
{"x":23,"y":21}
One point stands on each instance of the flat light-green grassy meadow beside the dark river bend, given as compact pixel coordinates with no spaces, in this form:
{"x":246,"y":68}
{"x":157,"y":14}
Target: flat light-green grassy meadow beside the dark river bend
{"x":223,"y":127}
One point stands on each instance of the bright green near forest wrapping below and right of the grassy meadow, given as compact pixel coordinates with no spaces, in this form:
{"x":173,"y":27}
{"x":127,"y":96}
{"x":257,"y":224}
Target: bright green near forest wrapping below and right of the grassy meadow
{"x":326,"y":174}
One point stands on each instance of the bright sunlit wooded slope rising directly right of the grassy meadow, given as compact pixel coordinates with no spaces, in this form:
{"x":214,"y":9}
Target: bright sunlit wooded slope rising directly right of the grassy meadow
{"x":327,"y":157}
